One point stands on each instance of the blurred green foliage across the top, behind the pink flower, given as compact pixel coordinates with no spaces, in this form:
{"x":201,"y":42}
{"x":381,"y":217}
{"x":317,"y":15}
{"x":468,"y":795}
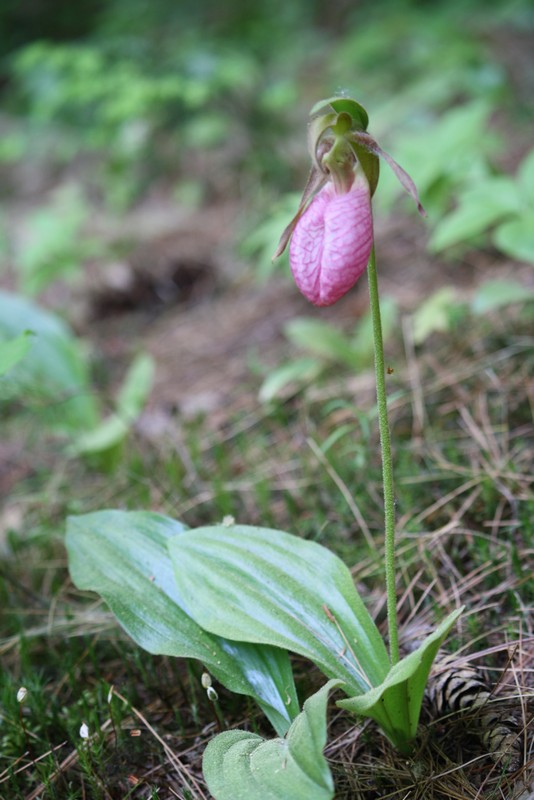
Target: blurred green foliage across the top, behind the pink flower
{"x":108,"y":104}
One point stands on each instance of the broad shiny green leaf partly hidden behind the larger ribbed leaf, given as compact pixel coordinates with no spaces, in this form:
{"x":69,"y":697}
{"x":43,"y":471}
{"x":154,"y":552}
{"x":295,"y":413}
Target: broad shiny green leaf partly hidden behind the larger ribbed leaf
{"x":123,"y":556}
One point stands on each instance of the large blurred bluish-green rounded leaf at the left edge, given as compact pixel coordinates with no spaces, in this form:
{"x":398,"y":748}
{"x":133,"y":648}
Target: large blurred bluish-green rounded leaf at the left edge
{"x":53,"y":378}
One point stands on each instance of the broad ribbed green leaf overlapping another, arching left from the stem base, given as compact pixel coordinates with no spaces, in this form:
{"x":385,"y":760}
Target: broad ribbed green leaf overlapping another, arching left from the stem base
{"x":266,"y":586}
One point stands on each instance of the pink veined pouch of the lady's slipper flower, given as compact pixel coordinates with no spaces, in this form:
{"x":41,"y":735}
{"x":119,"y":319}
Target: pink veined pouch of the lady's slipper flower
{"x":331,"y":243}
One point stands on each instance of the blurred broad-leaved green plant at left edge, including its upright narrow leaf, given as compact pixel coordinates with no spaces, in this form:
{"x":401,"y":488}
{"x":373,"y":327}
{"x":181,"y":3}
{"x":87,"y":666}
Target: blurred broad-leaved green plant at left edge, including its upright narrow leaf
{"x":46,"y":371}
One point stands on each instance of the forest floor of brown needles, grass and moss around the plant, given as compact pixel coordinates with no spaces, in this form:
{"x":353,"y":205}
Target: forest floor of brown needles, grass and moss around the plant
{"x":206,"y":446}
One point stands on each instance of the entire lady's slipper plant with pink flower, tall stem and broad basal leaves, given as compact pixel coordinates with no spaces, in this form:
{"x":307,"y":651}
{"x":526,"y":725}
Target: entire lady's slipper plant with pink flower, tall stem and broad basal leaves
{"x":240,"y":598}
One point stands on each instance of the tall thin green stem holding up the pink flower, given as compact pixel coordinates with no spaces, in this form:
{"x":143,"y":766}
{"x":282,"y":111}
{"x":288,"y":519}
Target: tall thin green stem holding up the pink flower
{"x":387,"y":466}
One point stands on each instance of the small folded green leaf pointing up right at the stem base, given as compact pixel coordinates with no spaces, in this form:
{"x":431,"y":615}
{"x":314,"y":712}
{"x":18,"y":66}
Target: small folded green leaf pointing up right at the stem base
{"x":396,"y":704}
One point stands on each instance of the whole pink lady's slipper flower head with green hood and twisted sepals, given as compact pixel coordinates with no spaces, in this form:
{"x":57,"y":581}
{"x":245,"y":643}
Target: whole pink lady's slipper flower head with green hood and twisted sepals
{"x":332,"y":232}
